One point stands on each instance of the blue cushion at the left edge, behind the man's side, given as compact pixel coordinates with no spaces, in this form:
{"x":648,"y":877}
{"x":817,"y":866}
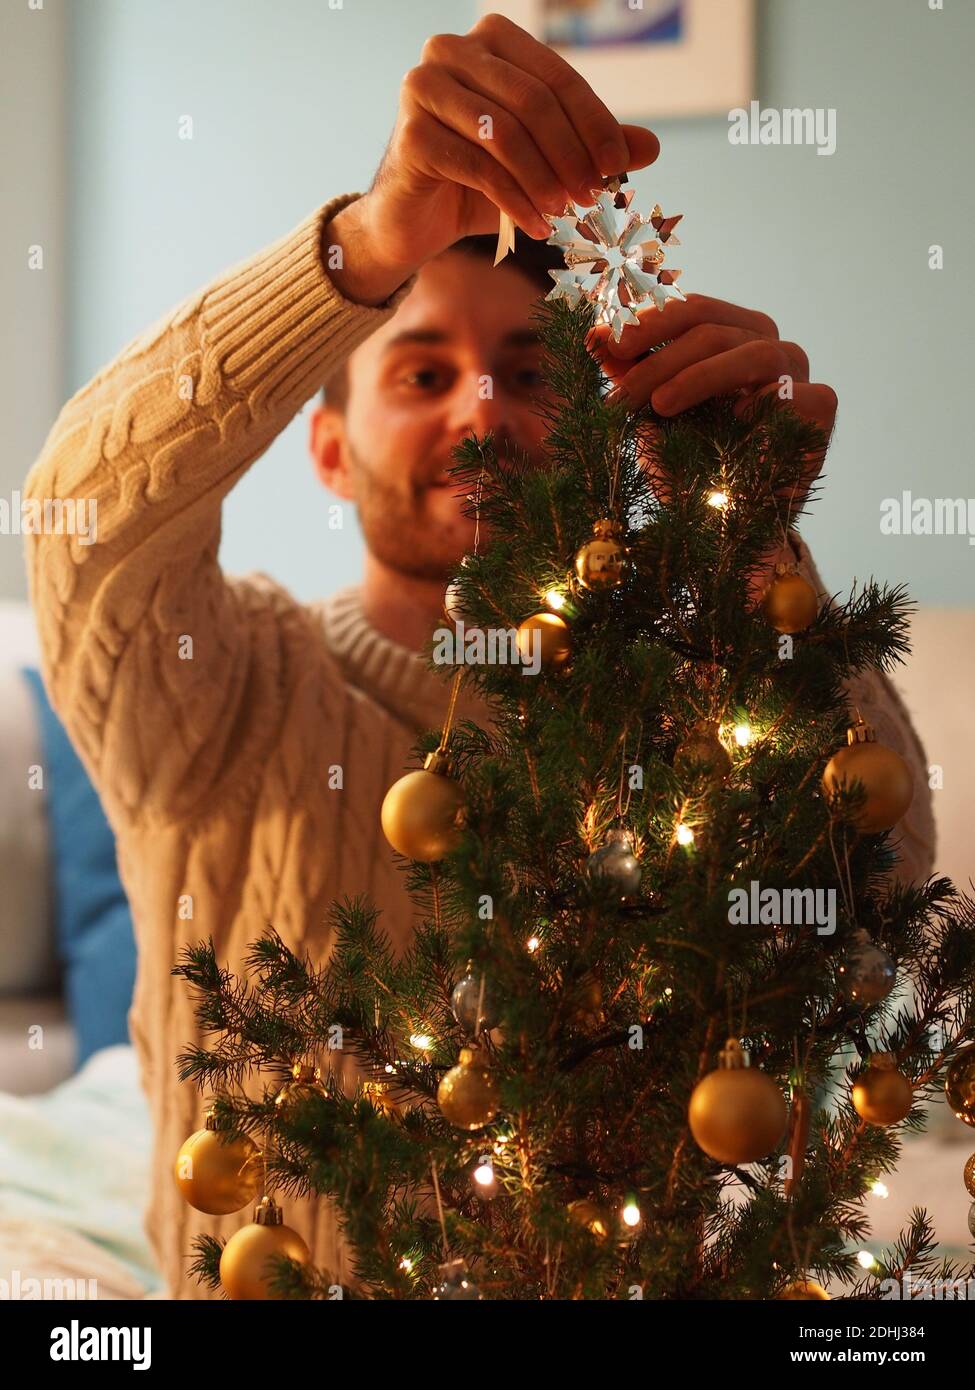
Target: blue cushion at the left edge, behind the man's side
{"x":92,"y":917}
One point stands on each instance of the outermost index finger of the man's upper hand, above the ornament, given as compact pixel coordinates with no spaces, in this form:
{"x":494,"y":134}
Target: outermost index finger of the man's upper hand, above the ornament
{"x":595,"y":124}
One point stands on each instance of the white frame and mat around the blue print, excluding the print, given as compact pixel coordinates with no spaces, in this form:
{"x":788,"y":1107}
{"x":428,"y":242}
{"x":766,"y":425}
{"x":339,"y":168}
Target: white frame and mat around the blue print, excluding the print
{"x":709,"y":70}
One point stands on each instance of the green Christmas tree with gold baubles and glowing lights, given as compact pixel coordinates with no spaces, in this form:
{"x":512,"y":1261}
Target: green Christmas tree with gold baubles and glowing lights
{"x":667,"y":1011}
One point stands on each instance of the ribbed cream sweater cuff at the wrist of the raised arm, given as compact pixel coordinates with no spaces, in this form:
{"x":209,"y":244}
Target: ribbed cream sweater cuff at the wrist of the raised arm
{"x":279,"y":327}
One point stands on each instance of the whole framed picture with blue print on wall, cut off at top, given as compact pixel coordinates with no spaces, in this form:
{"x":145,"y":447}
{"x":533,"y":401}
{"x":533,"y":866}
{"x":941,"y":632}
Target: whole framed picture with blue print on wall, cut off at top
{"x":649,"y":59}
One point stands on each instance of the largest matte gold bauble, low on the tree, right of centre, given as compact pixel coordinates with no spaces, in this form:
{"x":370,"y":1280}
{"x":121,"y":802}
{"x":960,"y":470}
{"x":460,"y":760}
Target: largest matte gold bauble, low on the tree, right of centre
{"x":738,"y":1114}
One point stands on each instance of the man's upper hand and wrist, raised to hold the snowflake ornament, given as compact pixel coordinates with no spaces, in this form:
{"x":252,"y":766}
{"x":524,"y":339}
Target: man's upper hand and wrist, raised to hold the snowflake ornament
{"x":489,"y":120}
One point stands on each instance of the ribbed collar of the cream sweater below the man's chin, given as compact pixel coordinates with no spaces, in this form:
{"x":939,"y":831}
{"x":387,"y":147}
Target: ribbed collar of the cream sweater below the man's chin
{"x":394,"y":676}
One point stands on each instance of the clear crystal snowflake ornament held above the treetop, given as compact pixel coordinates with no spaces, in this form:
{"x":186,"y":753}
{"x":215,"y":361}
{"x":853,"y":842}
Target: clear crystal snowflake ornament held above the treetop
{"x":614,"y":258}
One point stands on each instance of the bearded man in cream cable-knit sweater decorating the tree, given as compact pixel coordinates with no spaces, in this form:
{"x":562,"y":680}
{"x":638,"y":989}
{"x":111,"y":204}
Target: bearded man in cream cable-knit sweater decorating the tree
{"x":212,"y":712}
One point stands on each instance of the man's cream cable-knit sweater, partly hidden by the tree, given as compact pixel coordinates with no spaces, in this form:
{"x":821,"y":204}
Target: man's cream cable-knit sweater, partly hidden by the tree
{"x":213,"y":771}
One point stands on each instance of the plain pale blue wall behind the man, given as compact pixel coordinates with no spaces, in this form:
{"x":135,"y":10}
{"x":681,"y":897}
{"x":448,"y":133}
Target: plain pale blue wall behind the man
{"x":293,"y":102}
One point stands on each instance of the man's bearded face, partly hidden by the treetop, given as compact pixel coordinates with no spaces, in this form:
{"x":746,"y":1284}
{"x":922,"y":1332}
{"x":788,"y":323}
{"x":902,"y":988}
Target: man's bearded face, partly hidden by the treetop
{"x":460,"y":357}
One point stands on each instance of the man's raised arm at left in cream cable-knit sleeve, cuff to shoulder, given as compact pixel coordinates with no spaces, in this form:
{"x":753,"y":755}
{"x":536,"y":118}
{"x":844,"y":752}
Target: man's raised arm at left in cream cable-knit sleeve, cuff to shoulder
{"x":152,"y":447}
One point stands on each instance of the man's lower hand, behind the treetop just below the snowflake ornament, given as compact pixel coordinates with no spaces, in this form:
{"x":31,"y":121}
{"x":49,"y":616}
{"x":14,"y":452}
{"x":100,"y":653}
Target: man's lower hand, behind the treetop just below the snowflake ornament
{"x":713,"y":350}
